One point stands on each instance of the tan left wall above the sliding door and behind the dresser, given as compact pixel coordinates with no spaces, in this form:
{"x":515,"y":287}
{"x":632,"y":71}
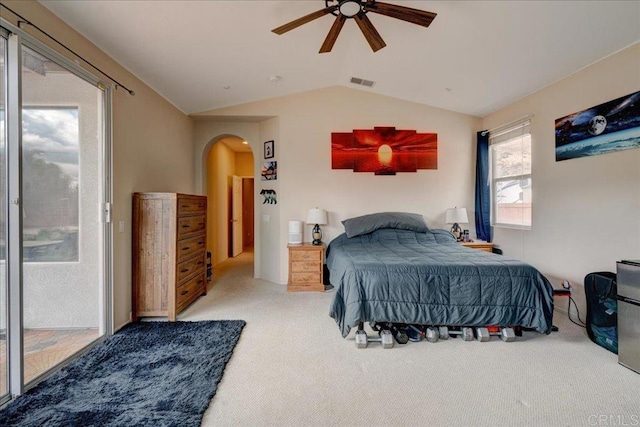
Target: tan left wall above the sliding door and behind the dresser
{"x":152,"y":142}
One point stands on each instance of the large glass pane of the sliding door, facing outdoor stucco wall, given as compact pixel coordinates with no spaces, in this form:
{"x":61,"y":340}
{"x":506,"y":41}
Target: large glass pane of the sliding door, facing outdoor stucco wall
{"x":61,"y":228}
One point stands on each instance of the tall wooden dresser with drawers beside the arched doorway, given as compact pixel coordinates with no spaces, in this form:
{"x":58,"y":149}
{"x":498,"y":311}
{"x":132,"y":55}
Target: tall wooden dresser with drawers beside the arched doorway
{"x":169,"y":253}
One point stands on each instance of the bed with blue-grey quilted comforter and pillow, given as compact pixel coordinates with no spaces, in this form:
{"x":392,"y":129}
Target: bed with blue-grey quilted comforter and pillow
{"x":389,"y":267}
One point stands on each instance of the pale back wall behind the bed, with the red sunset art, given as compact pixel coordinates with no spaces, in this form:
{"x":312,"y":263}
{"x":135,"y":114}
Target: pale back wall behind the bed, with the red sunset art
{"x":302,"y":133}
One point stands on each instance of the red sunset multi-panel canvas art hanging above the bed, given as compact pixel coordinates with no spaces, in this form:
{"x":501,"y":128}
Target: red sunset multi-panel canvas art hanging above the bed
{"x":384,"y":150}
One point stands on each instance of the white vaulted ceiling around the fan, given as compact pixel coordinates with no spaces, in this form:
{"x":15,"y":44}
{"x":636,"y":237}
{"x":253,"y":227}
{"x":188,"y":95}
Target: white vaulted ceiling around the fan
{"x":475,"y":58}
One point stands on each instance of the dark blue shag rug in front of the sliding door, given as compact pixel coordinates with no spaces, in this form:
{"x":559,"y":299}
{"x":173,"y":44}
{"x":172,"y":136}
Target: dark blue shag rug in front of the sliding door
{"x":146,"y":374}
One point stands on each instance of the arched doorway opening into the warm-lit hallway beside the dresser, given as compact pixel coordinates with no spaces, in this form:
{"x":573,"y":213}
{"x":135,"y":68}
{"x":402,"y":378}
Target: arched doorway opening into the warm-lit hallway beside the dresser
{"x":229,"y":185}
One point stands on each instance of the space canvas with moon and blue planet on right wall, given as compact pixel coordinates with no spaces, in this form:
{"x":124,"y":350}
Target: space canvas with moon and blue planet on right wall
{"x":605,"y":128}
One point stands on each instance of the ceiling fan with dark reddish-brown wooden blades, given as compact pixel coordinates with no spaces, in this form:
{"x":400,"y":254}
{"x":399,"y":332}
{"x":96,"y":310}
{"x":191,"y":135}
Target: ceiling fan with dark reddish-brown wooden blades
{"x":358,"y":9}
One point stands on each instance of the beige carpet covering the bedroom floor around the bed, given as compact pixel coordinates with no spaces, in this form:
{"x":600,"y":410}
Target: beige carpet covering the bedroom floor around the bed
{"x":293,"y":368}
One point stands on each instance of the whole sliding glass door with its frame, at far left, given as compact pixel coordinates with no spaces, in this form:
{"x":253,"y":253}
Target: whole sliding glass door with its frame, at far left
{"x":54,"y":197}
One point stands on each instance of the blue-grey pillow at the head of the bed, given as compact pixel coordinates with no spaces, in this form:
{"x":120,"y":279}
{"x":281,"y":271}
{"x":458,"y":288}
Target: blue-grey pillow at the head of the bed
{"x":368,"y":223}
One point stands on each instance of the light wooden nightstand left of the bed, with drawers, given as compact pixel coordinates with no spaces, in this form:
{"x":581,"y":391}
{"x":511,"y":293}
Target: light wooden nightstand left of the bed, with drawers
{"x":305,"y":267}
